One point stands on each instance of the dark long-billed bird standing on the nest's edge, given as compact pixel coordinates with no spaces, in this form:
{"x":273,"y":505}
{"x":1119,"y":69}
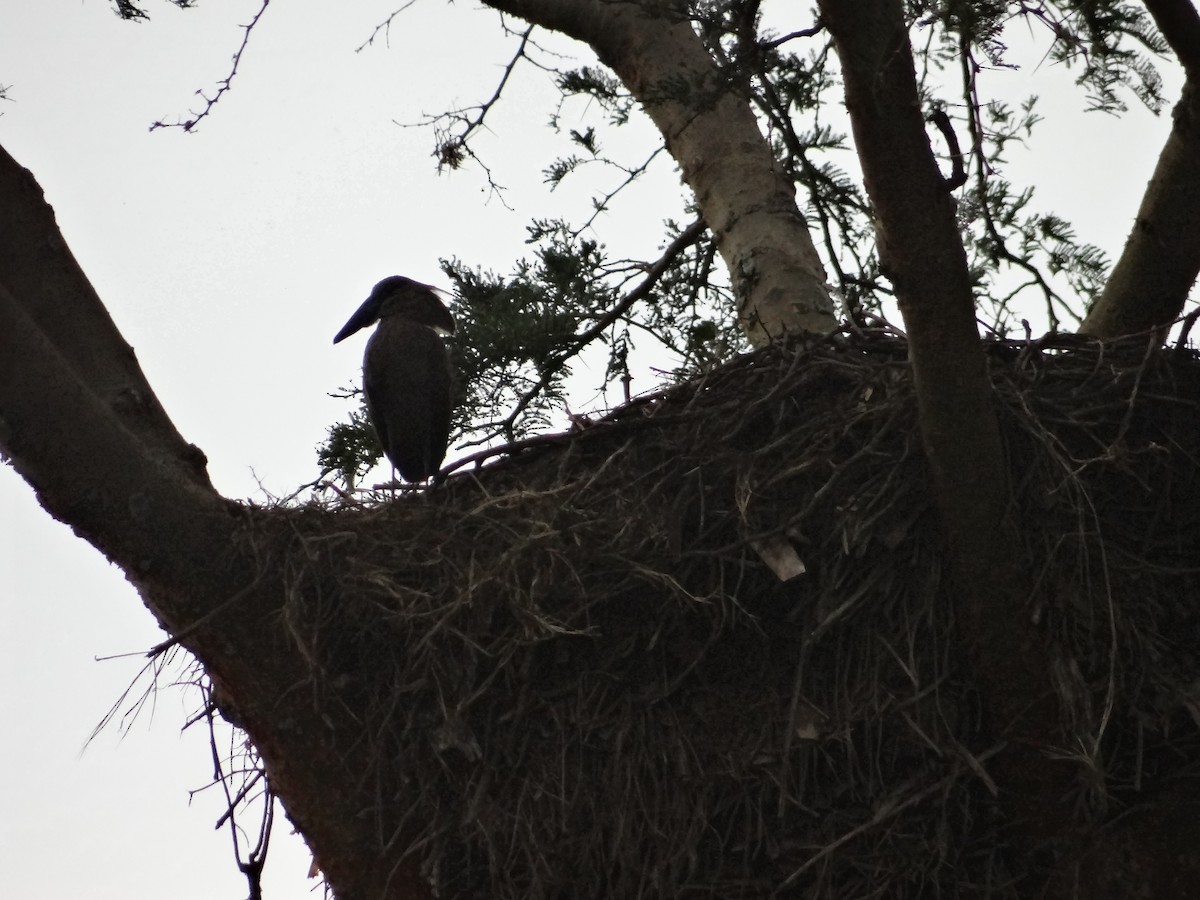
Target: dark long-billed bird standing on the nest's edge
{"x":406,"y":374}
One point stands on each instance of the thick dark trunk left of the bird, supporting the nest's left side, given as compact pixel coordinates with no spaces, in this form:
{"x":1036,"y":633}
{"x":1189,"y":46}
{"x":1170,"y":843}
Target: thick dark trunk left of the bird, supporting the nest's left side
{"x":81,"y":424}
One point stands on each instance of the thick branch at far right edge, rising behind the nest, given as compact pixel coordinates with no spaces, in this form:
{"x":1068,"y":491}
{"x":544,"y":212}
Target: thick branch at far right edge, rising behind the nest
{"x":1150,"y":284}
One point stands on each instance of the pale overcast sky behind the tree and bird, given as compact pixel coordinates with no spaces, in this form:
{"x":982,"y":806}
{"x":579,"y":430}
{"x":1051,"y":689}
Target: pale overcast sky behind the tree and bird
{"x":229,"y":260}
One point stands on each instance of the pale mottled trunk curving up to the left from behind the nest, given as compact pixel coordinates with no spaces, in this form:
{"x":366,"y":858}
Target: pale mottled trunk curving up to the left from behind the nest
{"x":711,"y":131}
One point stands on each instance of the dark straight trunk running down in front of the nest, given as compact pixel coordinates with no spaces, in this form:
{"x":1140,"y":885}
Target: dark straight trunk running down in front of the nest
{"x":922,"y":254}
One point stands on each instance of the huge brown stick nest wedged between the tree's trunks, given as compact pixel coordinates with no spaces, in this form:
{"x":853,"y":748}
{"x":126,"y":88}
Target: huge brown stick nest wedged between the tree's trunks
{"x":584,"y":681}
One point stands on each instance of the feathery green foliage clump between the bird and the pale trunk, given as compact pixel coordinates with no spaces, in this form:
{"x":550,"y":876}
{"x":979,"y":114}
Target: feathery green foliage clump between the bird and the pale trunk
{"x":519,"y":335}
